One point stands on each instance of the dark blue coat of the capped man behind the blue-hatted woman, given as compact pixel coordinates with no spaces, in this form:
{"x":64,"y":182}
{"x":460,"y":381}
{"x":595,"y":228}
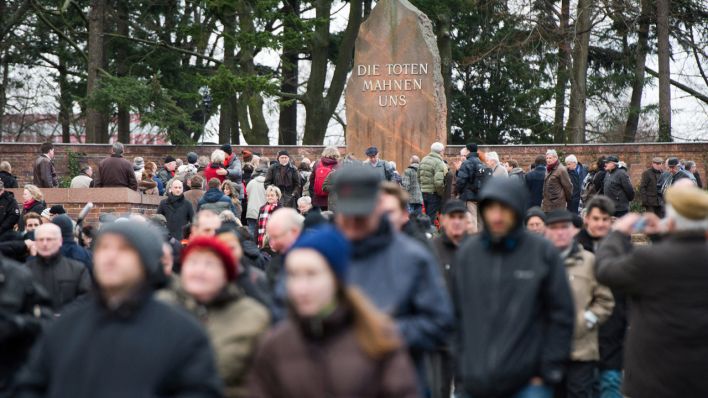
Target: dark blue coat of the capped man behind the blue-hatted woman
{"x":402,"y":279}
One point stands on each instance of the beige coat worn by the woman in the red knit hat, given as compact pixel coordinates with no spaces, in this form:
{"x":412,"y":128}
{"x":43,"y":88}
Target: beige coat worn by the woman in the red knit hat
{"x":234,"y":324}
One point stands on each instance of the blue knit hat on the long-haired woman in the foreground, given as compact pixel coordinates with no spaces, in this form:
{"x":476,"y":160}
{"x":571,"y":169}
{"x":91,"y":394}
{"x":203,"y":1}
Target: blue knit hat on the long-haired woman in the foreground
{"x":331,"y":244}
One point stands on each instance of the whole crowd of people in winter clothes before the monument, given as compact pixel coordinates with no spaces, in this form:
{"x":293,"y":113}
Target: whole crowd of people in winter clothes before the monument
{"x":465,"y":277}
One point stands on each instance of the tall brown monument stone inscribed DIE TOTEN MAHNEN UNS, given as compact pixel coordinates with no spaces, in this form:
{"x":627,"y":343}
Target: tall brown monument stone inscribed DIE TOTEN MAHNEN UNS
{"x":395,"y":97}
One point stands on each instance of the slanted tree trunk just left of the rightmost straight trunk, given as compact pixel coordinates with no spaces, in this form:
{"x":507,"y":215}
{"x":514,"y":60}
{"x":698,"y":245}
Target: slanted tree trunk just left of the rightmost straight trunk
{"x":635,"y":103}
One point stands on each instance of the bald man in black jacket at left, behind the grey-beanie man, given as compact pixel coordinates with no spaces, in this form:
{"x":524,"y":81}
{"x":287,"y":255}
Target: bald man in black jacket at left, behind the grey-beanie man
{"x":65,"y":280}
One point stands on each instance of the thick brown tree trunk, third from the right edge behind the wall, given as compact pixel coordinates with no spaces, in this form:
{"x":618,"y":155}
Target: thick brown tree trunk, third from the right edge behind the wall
{"x":575,"y":129}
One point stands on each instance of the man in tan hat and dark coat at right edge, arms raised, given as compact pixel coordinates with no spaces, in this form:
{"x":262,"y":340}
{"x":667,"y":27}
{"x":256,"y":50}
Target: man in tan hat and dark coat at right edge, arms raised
{"x":665,"y":353}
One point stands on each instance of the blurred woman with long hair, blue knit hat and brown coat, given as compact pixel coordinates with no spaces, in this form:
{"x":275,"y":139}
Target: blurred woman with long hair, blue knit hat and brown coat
{"x":335,"y":343}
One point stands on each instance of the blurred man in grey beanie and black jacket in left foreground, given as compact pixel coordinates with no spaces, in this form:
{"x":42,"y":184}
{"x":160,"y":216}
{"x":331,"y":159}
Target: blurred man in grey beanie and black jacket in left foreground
{"x":123,"y":342}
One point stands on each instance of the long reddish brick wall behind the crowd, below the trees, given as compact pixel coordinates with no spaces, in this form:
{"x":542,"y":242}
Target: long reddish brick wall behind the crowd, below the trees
{"x":637,"y":156}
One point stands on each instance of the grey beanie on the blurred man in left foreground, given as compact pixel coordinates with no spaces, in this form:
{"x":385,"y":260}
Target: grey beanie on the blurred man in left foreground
{"x":145,"y":240}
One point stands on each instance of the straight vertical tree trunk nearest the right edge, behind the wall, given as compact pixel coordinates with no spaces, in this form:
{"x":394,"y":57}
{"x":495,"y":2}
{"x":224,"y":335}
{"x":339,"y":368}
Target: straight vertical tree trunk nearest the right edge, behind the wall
{"x":663,"y":8}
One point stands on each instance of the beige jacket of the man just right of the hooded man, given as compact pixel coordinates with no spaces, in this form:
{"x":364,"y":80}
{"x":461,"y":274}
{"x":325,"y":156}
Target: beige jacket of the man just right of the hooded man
{"x":588,"y":294}
